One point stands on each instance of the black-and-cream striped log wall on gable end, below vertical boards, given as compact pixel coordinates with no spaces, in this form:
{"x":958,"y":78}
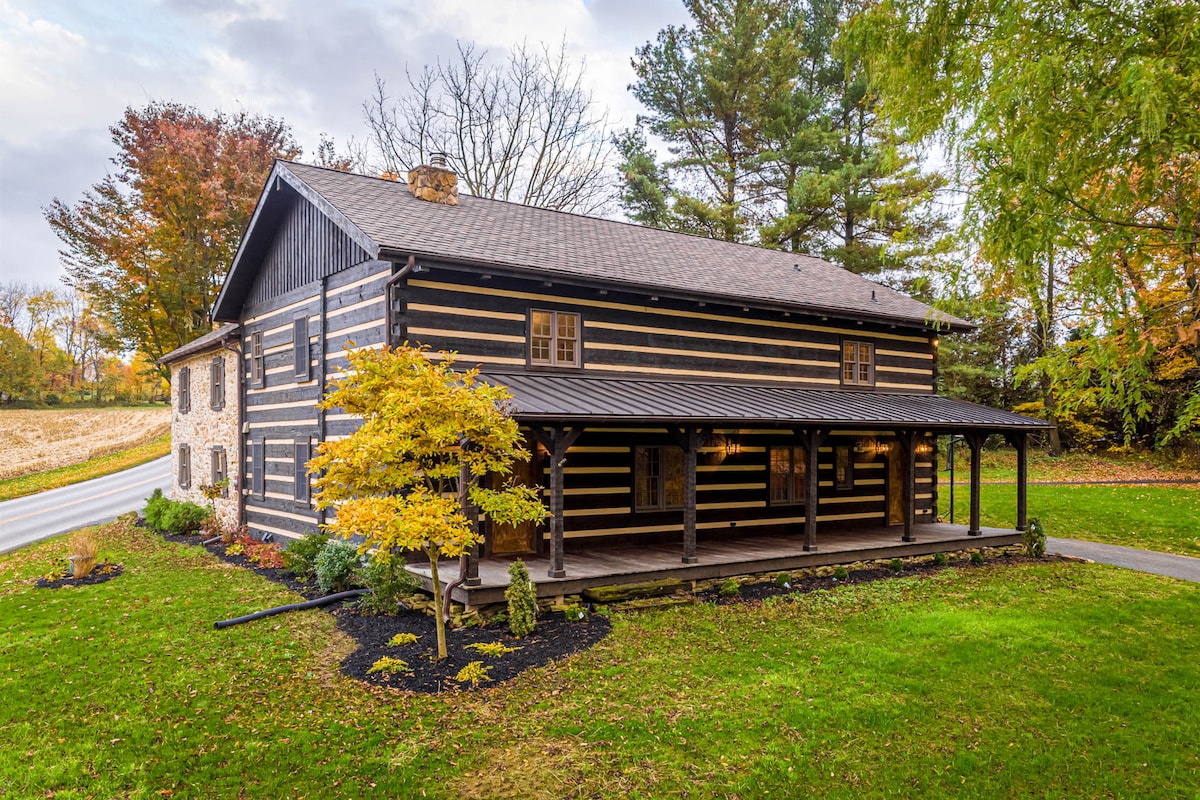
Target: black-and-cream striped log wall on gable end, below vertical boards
{"x":284,"y":411}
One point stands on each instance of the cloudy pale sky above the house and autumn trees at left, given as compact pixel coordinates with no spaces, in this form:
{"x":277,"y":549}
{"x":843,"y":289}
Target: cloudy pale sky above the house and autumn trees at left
{"x":70,"y":70}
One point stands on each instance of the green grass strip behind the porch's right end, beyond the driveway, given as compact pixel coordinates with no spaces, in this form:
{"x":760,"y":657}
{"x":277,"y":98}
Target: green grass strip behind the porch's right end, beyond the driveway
{"x":1153,"y":518}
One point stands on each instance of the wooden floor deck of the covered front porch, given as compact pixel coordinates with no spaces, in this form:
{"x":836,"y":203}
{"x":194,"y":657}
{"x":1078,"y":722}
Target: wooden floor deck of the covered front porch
{"x":605,"y":567}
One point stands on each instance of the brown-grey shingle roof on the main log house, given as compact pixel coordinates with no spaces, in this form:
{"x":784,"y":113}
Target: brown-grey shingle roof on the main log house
{"x":553,"y":243}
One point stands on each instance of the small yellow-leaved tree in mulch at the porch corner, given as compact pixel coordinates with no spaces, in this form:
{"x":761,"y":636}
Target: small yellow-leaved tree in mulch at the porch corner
{"x":394,"y":482}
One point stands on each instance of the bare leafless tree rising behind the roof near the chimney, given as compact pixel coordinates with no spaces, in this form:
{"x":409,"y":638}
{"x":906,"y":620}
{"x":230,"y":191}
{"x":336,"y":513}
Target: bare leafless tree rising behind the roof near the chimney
{"x":526,"y":131}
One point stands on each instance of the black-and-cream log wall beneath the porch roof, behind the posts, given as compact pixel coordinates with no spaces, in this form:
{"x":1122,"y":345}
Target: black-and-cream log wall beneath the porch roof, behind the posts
{"x":731,"y":489}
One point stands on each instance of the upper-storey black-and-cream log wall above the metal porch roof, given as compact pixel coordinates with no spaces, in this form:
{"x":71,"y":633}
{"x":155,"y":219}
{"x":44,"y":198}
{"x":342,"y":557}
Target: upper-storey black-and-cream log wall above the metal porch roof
{"x":485,"y":321}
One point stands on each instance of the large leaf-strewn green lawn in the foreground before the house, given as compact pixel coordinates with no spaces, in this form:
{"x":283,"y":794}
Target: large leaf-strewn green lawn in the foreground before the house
{"x":1009,"y":681}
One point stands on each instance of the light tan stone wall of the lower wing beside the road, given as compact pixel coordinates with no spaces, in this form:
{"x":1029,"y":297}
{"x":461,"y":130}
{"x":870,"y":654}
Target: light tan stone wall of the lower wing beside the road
{"x":203,"y":429}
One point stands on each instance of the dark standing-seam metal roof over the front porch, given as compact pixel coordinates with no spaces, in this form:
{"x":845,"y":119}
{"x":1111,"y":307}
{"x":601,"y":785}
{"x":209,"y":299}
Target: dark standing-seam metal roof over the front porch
{"x":578,"y":399}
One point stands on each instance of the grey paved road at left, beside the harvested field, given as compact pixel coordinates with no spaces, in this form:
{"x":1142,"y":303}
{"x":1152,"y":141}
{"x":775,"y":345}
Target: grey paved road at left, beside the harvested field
{"x":38,"y":516}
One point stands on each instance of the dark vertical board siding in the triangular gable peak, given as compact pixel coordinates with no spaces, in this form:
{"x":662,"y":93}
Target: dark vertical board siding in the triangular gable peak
{"x":308,"y":248}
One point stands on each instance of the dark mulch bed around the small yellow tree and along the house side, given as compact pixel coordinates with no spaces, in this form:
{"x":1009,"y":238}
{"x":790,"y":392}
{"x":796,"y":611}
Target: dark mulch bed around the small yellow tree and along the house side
{"x":554,"y":639}
